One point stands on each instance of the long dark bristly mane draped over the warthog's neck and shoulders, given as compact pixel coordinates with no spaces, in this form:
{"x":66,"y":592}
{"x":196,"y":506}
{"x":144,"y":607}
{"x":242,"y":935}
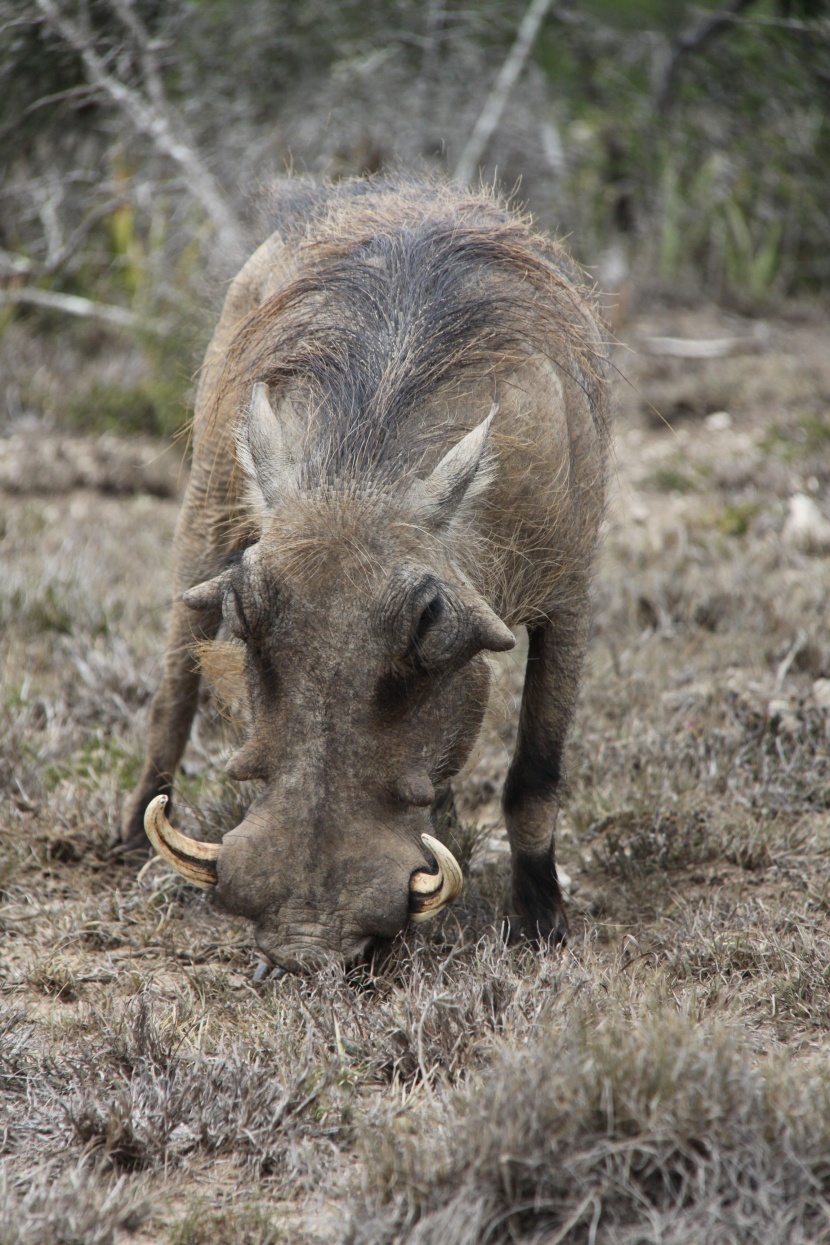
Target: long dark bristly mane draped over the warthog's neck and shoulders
{"x":390,"y":303}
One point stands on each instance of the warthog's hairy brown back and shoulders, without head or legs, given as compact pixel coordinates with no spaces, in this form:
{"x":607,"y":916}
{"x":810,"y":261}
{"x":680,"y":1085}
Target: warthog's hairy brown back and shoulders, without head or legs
{"x":388,"y":319}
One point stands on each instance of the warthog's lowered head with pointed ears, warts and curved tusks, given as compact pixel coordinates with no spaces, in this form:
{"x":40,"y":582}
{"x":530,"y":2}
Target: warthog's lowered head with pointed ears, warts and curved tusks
{"x":368,"y":684}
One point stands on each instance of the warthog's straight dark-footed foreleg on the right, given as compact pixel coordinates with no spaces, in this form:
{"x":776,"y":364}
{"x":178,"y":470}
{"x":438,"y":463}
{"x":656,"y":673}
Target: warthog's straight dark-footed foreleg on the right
{"x":556,"y":653}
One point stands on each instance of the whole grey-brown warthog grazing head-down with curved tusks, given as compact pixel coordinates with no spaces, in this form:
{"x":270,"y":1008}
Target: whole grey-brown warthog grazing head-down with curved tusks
{"x":399,"y":456}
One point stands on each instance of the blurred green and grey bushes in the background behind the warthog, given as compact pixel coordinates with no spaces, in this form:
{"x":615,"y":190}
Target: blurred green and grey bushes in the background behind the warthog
{"x":669,"y":141}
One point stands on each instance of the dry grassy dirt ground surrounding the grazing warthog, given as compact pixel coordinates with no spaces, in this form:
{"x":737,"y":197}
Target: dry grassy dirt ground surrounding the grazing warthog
{"x":152,"y":1091}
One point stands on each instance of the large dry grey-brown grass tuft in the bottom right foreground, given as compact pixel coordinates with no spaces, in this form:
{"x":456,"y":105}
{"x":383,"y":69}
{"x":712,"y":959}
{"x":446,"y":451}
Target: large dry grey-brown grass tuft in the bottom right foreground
{"x":620,"y":1129}
